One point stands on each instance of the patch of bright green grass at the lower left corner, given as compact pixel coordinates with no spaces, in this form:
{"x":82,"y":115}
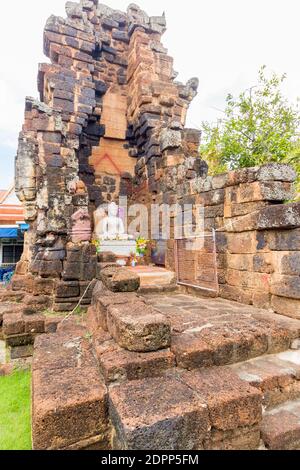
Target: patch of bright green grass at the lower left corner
{"x":15,"y":428}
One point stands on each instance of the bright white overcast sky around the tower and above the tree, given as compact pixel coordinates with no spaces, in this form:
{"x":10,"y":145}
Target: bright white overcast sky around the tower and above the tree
{"x":223,"y":42}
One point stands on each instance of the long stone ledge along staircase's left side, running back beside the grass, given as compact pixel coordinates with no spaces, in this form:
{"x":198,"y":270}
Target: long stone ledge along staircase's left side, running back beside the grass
{"x":70,"y":407}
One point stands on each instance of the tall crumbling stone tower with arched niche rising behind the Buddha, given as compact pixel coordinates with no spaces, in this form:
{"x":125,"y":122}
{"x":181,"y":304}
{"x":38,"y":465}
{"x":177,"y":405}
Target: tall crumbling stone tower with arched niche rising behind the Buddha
{"x":110,"y":122}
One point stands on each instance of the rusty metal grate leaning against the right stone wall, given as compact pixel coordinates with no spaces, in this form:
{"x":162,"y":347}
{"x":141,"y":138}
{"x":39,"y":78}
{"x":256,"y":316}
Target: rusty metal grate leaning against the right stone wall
{"x":196,"y":262}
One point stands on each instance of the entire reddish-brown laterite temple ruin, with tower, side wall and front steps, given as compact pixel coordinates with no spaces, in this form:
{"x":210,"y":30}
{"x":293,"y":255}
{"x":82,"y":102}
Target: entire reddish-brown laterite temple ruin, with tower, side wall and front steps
{"x":110,"y":122}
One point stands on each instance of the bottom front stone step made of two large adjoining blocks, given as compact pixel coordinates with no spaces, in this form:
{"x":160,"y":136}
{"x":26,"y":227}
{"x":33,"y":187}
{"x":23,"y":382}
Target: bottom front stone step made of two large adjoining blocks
{"x":207,"y":409}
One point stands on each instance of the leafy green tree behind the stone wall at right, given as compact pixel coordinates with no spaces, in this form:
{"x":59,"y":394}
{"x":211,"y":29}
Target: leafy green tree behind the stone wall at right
{"x":258,"y":127}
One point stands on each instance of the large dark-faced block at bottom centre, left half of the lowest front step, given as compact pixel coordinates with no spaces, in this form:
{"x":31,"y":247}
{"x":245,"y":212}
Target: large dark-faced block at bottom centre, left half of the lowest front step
{"x":157,"y":414}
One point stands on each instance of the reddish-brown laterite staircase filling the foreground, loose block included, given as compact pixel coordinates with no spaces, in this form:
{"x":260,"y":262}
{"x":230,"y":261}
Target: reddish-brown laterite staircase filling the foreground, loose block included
{"x":168,"y":372}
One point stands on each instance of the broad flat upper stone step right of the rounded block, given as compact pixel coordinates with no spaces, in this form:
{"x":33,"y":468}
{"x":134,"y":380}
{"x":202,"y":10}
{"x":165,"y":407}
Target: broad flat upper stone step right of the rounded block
{"x":215,"y":332}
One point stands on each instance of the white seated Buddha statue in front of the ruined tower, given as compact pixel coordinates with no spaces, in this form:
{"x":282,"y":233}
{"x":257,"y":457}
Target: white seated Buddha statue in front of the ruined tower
{"x":111,"y":227}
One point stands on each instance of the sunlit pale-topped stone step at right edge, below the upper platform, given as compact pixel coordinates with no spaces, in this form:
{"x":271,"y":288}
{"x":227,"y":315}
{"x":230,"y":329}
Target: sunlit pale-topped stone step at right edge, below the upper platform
{"x":277,"y":376}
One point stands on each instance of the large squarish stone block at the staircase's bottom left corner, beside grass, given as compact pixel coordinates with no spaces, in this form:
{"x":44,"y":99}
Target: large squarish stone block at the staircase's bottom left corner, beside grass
{"x":69,"y":405}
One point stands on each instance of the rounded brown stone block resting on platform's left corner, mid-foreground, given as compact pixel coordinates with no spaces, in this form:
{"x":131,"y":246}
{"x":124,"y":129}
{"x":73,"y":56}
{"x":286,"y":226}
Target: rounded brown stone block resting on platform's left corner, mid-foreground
{"x":138,"y":327}
